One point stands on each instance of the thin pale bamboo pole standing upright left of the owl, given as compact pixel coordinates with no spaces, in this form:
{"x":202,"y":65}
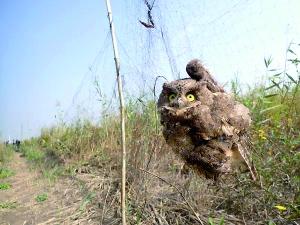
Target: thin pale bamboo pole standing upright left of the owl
{"x":122,"y":111}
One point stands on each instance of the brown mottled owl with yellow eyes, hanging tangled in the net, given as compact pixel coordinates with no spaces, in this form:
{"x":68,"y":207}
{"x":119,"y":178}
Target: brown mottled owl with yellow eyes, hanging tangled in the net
{"x":205,"y":126}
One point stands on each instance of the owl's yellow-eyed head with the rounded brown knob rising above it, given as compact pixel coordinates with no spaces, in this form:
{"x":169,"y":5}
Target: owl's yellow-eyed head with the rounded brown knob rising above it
{"x":179,"y":97}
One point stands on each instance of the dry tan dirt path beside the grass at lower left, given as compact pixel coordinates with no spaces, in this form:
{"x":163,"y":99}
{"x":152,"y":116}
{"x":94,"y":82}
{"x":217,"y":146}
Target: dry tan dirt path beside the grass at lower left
{"x":65,"y":203}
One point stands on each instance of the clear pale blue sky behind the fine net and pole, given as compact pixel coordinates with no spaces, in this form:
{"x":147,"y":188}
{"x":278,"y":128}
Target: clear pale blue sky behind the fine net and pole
{"x":55,"y":55}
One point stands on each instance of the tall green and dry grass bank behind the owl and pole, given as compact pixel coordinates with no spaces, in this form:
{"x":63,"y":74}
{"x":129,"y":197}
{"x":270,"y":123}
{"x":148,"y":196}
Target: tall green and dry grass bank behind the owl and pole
{"x":157,"y":192}
